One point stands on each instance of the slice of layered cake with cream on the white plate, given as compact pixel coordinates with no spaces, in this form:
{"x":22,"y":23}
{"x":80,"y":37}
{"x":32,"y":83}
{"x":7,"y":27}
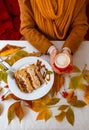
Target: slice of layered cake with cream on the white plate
{"x":28,"y":78}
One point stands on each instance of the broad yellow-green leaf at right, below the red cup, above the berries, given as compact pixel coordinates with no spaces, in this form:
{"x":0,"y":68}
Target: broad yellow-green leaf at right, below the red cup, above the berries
{"x":76,"y":81}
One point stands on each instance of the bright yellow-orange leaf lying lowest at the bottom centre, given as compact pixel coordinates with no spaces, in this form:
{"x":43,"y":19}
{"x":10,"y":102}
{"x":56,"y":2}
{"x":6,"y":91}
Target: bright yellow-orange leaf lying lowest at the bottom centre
{"x":44,"y":114}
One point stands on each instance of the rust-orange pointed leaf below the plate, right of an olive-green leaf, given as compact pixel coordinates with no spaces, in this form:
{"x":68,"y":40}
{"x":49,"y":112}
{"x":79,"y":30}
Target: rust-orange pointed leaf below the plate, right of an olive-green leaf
{"x":19,"y":111}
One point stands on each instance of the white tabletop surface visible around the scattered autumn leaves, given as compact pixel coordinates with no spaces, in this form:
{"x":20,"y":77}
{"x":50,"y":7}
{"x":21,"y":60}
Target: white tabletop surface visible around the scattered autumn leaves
{"x":80,"y":58}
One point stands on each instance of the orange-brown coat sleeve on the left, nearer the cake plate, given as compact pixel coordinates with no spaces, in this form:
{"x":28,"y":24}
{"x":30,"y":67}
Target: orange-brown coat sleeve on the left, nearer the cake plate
{"x":28,"y":28}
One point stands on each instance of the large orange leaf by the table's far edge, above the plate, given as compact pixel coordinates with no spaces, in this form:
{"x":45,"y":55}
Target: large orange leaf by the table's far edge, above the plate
{"x":9,"y":49}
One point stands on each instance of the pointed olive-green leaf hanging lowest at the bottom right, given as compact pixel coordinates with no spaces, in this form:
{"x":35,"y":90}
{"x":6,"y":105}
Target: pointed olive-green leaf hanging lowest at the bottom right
{"x":70,"y":116}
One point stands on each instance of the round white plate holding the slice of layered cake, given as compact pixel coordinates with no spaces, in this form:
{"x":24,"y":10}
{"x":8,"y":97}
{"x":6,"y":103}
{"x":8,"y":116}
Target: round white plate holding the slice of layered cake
{"x":38,"y":93}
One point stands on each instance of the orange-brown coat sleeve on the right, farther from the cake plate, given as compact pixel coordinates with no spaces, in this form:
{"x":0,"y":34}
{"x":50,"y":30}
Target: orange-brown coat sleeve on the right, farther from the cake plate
{"x":78,"y":29}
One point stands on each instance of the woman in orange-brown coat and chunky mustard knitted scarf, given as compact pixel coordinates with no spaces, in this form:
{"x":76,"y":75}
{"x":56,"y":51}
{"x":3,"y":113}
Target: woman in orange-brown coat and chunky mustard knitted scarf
{"x":45,"y":20}
